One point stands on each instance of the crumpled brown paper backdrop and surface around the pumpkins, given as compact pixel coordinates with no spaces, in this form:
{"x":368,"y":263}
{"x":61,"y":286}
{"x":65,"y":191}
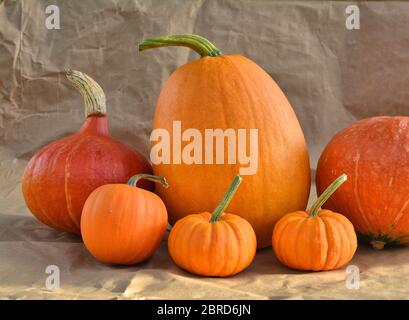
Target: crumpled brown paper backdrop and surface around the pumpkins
{"x":332,"y":77}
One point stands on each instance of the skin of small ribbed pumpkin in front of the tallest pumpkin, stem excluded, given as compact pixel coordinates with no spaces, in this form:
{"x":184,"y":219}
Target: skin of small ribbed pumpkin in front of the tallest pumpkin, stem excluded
{"x":220,"y":249}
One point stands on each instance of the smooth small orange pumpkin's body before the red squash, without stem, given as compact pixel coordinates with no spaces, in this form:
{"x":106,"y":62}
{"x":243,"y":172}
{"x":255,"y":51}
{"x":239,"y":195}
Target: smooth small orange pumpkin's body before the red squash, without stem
{"x":122,"y":224}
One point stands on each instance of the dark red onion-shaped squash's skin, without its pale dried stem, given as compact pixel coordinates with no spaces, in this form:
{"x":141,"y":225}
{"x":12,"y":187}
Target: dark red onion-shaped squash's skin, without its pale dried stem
{"x":60,"y":176}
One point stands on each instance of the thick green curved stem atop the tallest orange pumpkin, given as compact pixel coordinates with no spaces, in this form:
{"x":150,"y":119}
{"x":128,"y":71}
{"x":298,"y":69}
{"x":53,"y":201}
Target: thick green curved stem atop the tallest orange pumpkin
{"x":195,"y":42}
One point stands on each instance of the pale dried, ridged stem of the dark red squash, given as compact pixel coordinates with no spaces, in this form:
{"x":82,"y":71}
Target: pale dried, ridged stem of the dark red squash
{"x":94,"y":96}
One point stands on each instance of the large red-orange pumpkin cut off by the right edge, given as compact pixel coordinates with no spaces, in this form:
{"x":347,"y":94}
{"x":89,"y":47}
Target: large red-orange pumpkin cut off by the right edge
{"x":374,"y":153}
